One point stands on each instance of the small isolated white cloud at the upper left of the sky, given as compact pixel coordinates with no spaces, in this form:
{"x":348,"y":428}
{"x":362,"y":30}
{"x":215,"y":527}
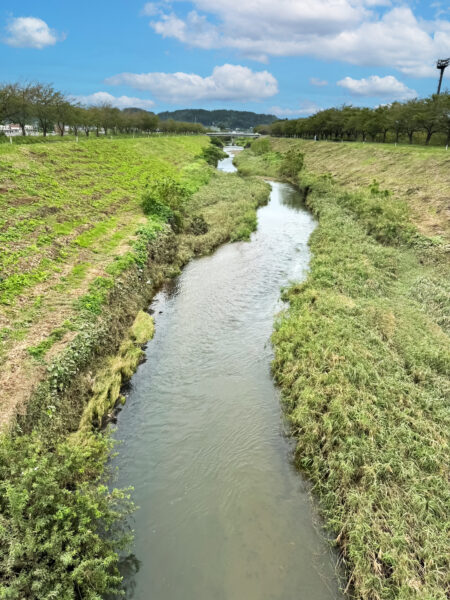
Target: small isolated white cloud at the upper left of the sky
{"x":30,"y":32}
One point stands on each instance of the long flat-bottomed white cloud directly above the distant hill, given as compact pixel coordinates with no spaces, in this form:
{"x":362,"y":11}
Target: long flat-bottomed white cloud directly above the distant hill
{"x":228,"y":82}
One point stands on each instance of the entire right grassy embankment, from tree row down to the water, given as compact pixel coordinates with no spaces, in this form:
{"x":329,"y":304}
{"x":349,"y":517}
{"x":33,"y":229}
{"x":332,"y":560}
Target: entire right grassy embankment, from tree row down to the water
{"x":363,"y":356}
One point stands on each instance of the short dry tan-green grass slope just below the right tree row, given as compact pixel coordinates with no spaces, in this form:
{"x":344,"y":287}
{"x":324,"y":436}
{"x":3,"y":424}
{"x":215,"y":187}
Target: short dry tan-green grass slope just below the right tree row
{"x":418,"y":175}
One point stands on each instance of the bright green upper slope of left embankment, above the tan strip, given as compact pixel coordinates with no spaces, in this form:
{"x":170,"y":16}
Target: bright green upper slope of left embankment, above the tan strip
{"x":59,"y":198}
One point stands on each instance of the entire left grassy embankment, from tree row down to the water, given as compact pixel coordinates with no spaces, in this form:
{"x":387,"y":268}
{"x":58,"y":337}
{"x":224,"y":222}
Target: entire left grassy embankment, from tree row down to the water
{"x":79,"y":260}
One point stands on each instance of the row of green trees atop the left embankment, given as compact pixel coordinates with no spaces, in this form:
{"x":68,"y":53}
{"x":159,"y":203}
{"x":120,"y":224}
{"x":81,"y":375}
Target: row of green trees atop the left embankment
{"x":48,"y":110}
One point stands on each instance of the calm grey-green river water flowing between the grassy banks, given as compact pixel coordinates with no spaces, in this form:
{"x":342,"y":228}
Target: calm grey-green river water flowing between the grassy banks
{"x":223,"y":513}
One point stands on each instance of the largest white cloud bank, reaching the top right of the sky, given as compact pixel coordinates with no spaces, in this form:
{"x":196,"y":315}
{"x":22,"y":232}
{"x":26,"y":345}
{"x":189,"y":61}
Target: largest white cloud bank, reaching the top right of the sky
{"x":360,"y":32}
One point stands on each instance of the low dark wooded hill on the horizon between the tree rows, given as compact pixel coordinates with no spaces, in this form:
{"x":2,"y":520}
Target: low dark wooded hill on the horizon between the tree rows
{"x":230,"y":119}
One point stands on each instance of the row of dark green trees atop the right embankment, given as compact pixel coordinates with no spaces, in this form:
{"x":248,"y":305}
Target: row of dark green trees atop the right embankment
{"x":394,"y":122}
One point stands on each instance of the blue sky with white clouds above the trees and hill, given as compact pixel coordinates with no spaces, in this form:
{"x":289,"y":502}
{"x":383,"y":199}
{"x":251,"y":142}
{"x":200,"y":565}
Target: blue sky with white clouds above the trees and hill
{"x":286,"y":57}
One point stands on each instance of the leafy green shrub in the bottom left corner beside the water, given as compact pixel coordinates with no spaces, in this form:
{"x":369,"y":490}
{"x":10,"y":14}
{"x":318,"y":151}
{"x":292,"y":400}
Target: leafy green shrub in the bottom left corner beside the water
{"x":59,"y":532}
